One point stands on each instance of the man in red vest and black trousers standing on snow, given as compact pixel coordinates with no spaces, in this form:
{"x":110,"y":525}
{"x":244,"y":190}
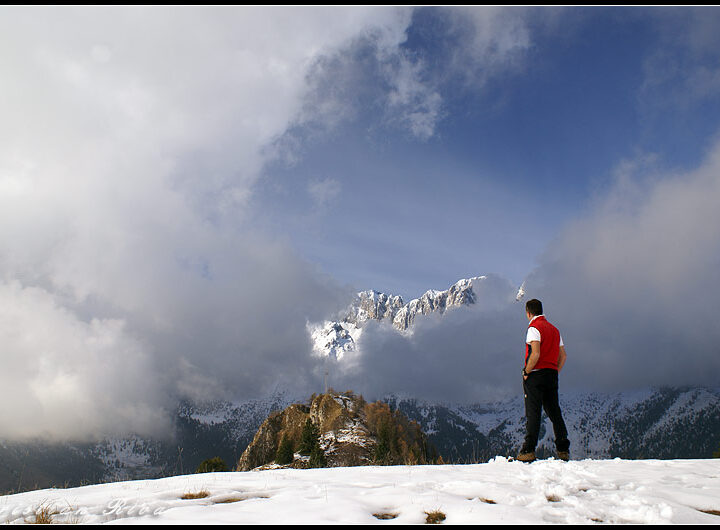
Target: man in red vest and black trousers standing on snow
{"x":544,"y":358}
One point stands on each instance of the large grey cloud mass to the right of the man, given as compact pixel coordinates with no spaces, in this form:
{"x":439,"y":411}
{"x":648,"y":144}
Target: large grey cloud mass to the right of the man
{"x":635,"y":284}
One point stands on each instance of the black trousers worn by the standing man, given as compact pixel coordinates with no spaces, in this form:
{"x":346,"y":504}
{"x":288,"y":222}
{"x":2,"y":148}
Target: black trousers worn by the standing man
{"x":541,"y":393}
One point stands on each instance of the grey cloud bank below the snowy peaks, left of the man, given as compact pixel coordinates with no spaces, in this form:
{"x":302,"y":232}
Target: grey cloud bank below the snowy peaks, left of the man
{"x":468,"y":354}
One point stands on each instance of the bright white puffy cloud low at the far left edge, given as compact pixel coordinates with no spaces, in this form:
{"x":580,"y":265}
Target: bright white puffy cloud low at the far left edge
{"x":70,"y":378}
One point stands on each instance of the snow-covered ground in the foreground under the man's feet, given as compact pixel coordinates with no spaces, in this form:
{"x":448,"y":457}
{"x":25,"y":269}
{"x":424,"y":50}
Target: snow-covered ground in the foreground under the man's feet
{"x":498,"y":492}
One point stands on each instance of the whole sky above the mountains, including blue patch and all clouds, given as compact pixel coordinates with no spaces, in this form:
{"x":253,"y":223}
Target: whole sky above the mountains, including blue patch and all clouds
{"x":183,"y":189}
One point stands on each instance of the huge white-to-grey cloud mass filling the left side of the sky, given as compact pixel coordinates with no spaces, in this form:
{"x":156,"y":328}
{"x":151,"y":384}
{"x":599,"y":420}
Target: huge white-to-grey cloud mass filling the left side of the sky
{"x":129,"y":146}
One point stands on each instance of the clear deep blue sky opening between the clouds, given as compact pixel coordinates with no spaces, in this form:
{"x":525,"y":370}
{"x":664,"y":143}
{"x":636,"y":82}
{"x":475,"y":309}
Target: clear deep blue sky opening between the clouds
{"x":518,"y":150}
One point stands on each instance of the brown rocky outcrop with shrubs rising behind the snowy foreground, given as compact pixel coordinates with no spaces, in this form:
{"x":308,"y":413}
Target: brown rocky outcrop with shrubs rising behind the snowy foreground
{"x":350,"y":431}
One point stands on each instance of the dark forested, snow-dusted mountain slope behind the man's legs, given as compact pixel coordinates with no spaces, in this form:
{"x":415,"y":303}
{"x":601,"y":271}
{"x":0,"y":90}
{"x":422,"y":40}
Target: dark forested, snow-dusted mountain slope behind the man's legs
{"x":651,"y":423}
